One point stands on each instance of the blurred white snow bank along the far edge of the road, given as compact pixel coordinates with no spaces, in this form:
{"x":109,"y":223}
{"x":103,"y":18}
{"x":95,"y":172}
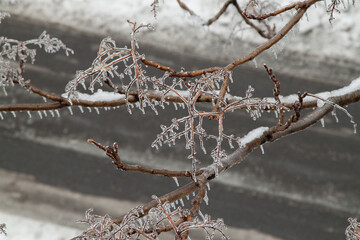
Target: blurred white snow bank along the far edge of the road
{"x":179,"y":31}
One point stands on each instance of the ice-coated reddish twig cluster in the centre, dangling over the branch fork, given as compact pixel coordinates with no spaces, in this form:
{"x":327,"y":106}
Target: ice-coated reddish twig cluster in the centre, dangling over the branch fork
{"x":190,"y":127}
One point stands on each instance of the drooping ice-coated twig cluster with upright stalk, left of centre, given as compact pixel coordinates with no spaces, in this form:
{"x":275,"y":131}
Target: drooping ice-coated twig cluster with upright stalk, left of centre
{"x":116,"y":62}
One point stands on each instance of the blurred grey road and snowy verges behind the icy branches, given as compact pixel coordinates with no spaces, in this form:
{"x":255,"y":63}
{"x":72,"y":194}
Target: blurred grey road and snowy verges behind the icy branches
{"x":304,"y":186}
